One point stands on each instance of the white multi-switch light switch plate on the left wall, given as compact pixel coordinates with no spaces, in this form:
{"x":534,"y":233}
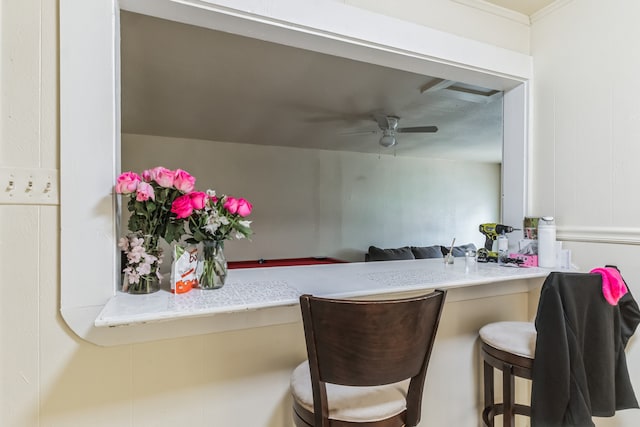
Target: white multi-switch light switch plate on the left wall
{"x":23,"y":186}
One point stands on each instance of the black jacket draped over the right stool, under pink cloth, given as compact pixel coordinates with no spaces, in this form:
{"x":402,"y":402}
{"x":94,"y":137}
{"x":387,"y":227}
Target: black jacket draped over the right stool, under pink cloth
{"x":580,"y":368}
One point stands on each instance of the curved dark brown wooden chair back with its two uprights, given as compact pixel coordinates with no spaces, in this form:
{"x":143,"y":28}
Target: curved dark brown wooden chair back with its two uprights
{"x":370,"y":343}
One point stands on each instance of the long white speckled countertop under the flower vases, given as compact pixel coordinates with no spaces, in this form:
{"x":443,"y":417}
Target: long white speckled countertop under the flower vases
{"x":258,"y":288}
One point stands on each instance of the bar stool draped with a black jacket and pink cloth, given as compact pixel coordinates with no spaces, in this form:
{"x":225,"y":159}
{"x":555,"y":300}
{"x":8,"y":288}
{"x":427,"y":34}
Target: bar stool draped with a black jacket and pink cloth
{"x":582,"y":327}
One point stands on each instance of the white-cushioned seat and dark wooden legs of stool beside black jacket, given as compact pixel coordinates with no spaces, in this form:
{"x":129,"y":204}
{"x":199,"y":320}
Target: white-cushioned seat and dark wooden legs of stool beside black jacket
{"x":510,"y":348}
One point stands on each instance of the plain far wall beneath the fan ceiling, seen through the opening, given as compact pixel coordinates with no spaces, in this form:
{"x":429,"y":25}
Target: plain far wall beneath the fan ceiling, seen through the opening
{"x":328,"y":203}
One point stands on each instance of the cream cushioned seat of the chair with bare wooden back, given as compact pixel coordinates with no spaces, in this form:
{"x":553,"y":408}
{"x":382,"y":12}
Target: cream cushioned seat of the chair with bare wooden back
{"x":355,"y":404}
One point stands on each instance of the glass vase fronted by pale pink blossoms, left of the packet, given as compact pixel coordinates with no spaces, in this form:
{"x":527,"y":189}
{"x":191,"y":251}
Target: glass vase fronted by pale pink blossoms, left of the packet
{"x":142,"y":259}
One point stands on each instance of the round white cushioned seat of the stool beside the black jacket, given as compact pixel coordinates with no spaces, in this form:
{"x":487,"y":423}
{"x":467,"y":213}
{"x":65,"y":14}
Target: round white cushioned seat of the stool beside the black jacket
{"x":518,"y":338}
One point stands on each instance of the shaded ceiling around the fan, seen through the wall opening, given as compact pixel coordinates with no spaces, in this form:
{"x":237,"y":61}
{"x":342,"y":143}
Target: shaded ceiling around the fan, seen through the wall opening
{"x":190,"y":82}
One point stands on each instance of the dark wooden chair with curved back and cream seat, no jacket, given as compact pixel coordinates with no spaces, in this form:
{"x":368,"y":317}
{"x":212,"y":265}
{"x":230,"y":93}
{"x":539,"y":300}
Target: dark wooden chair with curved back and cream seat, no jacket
{"x":367,"y":360}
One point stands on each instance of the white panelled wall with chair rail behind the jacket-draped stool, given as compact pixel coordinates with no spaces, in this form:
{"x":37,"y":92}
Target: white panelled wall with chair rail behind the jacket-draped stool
{"x":586,"y":133}
